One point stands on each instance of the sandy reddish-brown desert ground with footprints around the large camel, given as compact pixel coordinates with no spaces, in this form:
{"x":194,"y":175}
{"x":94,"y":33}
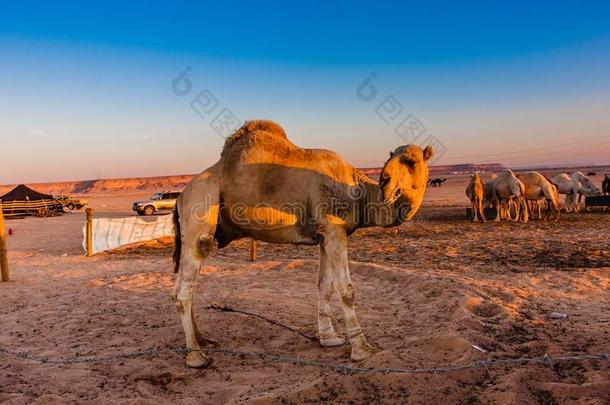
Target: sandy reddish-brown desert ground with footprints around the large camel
{"x":427,"y":292}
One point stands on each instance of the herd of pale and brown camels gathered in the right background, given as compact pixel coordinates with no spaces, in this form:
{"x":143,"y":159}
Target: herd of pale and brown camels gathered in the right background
{"x":524,"y":193}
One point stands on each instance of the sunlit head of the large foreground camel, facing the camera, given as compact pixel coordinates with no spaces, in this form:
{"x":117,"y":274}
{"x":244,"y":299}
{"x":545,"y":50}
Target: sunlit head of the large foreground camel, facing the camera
{"x":403,"y":179}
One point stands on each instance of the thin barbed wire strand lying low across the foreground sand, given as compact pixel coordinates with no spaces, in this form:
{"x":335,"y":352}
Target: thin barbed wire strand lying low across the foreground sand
{"x":342,"y":368}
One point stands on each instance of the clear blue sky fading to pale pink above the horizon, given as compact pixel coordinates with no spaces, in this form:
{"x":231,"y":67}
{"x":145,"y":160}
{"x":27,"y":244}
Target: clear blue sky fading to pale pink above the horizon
{"x":86,"y":89}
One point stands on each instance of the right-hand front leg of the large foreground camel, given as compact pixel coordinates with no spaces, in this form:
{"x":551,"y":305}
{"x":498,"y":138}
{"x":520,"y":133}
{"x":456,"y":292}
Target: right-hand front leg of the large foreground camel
{"x":335,"y":244}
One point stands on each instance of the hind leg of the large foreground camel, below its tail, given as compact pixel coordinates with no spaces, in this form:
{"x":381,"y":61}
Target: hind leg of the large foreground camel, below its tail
{"x":197,"y":212}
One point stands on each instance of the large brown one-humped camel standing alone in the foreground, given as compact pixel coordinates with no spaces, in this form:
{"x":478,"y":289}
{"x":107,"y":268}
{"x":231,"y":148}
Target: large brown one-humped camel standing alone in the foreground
{"x":265,"y":187}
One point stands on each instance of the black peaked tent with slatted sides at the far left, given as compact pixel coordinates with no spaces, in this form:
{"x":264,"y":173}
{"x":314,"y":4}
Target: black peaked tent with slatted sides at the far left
{"x":22,"y":201}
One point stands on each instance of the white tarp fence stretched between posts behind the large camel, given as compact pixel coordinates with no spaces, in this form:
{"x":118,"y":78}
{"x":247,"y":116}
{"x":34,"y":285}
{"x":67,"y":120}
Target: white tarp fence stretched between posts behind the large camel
{"x":111,"y":233}
